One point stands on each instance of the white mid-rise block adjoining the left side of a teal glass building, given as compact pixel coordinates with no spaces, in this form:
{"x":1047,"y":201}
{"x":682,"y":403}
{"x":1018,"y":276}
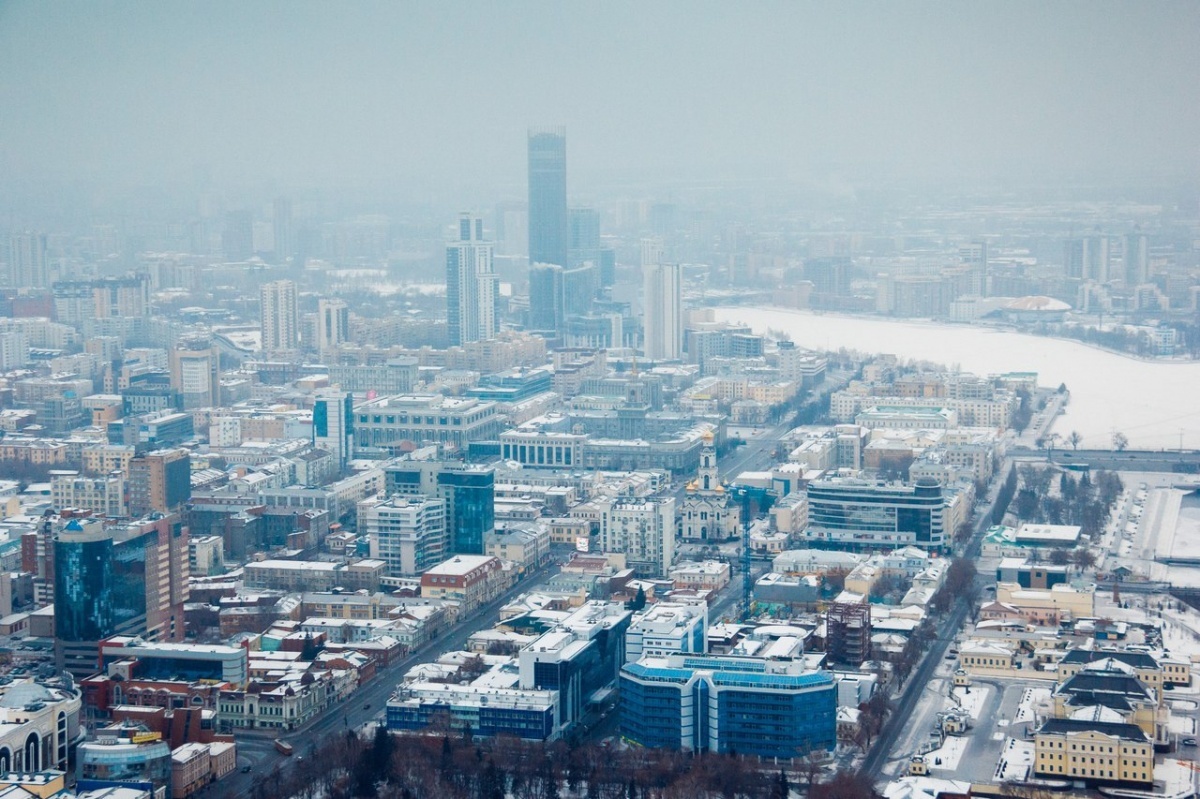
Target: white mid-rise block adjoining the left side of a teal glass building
{"x":407,"y":533}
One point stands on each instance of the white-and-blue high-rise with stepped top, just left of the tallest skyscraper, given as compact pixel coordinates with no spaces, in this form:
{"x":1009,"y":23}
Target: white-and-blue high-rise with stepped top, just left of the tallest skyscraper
{"x":471,"y":285}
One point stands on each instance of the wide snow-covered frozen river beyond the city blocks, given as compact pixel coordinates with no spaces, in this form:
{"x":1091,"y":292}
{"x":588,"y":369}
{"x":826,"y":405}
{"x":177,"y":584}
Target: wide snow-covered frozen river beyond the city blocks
{"x":1151,"y":402}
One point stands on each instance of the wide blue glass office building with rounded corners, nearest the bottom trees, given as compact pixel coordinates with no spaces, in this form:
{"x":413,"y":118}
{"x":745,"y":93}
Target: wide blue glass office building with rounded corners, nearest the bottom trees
{"x":728,"y":705}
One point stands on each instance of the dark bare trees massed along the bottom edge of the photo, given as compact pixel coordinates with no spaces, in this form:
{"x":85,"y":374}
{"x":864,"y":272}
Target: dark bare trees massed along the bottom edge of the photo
{"x":454,"y":765}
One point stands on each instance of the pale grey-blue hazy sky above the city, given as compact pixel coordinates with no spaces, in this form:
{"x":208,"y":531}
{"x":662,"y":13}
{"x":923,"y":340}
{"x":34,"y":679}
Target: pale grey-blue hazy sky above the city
{"x":340,"y":93}
